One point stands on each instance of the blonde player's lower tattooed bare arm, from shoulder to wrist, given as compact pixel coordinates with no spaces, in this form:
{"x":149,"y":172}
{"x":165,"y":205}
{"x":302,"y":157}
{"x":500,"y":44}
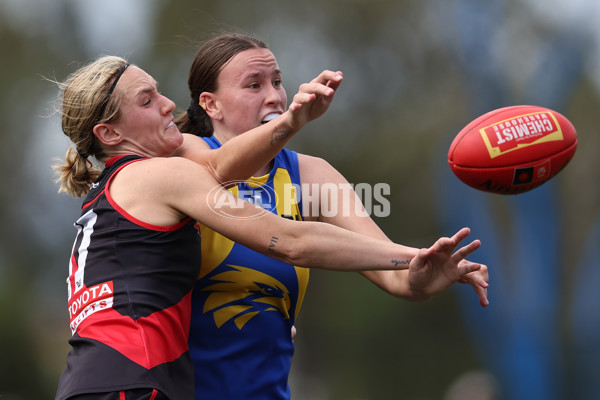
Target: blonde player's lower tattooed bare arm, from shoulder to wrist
{"x":189,"y":189}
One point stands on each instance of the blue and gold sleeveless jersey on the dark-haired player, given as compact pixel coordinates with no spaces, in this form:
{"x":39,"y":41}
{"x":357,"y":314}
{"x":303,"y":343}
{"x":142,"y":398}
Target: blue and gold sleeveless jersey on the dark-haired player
{"x":245,"y":303}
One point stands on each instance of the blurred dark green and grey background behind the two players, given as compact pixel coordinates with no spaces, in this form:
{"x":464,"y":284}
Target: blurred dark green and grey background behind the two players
{"x":402,"y":101}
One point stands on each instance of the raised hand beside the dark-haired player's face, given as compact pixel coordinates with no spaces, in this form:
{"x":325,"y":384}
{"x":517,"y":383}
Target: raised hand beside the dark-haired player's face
{"x":314,"y":98}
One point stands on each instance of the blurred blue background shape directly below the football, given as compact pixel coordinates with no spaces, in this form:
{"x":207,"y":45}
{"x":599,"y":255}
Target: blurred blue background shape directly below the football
{"x":518,"y":335}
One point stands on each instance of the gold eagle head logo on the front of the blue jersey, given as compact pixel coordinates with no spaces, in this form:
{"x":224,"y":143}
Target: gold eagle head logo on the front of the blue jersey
{"x":242,"y":293}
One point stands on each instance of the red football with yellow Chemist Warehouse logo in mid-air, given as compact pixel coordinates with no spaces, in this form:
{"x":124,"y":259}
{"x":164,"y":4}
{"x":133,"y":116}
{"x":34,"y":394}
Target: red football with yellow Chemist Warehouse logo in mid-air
{"x":512,"y":150}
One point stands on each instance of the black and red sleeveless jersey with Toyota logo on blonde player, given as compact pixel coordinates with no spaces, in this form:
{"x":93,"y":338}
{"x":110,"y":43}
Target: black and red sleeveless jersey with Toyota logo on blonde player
{"x":129,"y":299}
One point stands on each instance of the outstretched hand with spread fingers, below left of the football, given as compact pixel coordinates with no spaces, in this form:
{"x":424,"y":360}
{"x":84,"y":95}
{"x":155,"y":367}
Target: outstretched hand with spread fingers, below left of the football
{"x":434,"y":269}
